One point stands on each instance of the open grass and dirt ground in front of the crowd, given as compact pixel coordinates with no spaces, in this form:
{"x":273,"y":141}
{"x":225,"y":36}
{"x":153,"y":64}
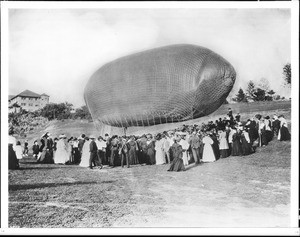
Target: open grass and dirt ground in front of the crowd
{"x":251,"y":191}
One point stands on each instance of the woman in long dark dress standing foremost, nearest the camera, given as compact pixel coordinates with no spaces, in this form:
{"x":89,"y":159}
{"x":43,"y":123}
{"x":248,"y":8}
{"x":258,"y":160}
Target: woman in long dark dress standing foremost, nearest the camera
{"x":176,"y":153}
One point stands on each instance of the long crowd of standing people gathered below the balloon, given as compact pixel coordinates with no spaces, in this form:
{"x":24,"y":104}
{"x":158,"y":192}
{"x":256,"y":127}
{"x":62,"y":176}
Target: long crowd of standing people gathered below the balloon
{"x":206,"y":142}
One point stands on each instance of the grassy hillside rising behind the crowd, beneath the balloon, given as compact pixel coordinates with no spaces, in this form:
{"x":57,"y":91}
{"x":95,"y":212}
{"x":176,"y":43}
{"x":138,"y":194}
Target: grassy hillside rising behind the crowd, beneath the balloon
{"x":247,"y":110}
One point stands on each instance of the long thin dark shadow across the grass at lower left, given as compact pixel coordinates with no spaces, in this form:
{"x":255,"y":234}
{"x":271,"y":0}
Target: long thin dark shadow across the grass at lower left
{"x":16,"y":187}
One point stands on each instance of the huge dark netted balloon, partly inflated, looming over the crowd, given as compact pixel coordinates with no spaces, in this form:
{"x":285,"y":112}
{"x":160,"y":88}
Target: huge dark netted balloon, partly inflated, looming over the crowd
{"x":167,"y":84}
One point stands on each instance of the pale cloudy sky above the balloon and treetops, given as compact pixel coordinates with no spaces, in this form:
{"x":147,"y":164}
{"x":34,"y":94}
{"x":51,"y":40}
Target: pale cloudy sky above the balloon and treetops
{"x":55,"y":51}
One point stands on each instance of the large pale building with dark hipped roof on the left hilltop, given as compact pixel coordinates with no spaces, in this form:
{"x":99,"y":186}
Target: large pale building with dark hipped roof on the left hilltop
{"x":27,"y":100}
